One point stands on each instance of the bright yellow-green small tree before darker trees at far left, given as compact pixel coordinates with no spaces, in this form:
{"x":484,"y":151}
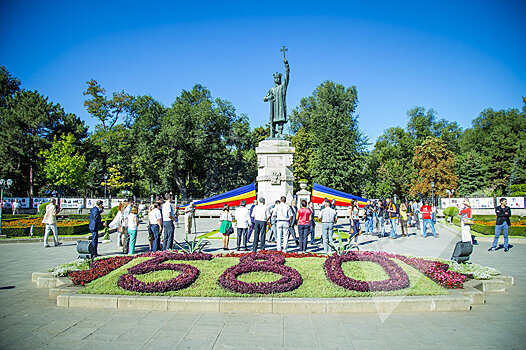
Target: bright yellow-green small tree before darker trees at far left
{"x":64,"y":166}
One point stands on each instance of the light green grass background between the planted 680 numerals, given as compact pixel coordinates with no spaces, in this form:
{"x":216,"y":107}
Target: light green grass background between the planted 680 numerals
{"x":315,"y":283}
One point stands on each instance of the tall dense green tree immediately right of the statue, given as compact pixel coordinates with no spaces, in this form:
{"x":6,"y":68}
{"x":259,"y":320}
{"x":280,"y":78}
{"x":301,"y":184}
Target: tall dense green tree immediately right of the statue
{"x":339,"y":145}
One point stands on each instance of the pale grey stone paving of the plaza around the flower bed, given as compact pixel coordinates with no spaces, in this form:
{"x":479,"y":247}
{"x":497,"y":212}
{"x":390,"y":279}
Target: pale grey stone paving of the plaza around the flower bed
{"x":28,"y":320}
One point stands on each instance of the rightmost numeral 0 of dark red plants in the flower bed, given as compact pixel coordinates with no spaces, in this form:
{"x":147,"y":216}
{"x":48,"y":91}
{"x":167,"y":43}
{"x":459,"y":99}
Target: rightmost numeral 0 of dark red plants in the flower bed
{"x":398,"y":279}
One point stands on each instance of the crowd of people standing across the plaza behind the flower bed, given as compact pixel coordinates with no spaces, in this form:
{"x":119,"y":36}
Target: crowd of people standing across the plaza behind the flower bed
{"x":279,"y":220}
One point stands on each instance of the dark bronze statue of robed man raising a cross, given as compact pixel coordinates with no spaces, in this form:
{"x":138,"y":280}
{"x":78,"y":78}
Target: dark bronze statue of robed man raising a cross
{"x":277,"y":96}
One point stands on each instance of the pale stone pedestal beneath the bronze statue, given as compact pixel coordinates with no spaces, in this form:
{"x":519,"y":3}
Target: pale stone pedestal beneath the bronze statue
{"x":275,"y":178}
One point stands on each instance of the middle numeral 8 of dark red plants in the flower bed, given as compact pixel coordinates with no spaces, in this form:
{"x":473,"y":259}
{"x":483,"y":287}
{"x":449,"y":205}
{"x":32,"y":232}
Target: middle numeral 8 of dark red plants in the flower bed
{"x":261,"y":262}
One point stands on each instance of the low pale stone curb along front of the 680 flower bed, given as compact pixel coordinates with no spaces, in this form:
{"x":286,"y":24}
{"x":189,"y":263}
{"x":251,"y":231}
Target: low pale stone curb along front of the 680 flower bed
{"x":474,"y":291}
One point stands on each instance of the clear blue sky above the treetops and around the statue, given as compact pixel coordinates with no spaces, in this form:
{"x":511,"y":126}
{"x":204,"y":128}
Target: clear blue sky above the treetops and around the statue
{"x":458,"y":57}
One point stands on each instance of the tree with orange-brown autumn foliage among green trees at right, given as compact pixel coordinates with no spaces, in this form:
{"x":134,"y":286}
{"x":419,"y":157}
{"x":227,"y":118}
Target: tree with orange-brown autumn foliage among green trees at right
{"x":433,"y":162}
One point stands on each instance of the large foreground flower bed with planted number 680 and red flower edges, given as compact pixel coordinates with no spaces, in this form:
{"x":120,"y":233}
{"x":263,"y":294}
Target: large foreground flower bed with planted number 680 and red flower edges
{"x":209,"y":275}
